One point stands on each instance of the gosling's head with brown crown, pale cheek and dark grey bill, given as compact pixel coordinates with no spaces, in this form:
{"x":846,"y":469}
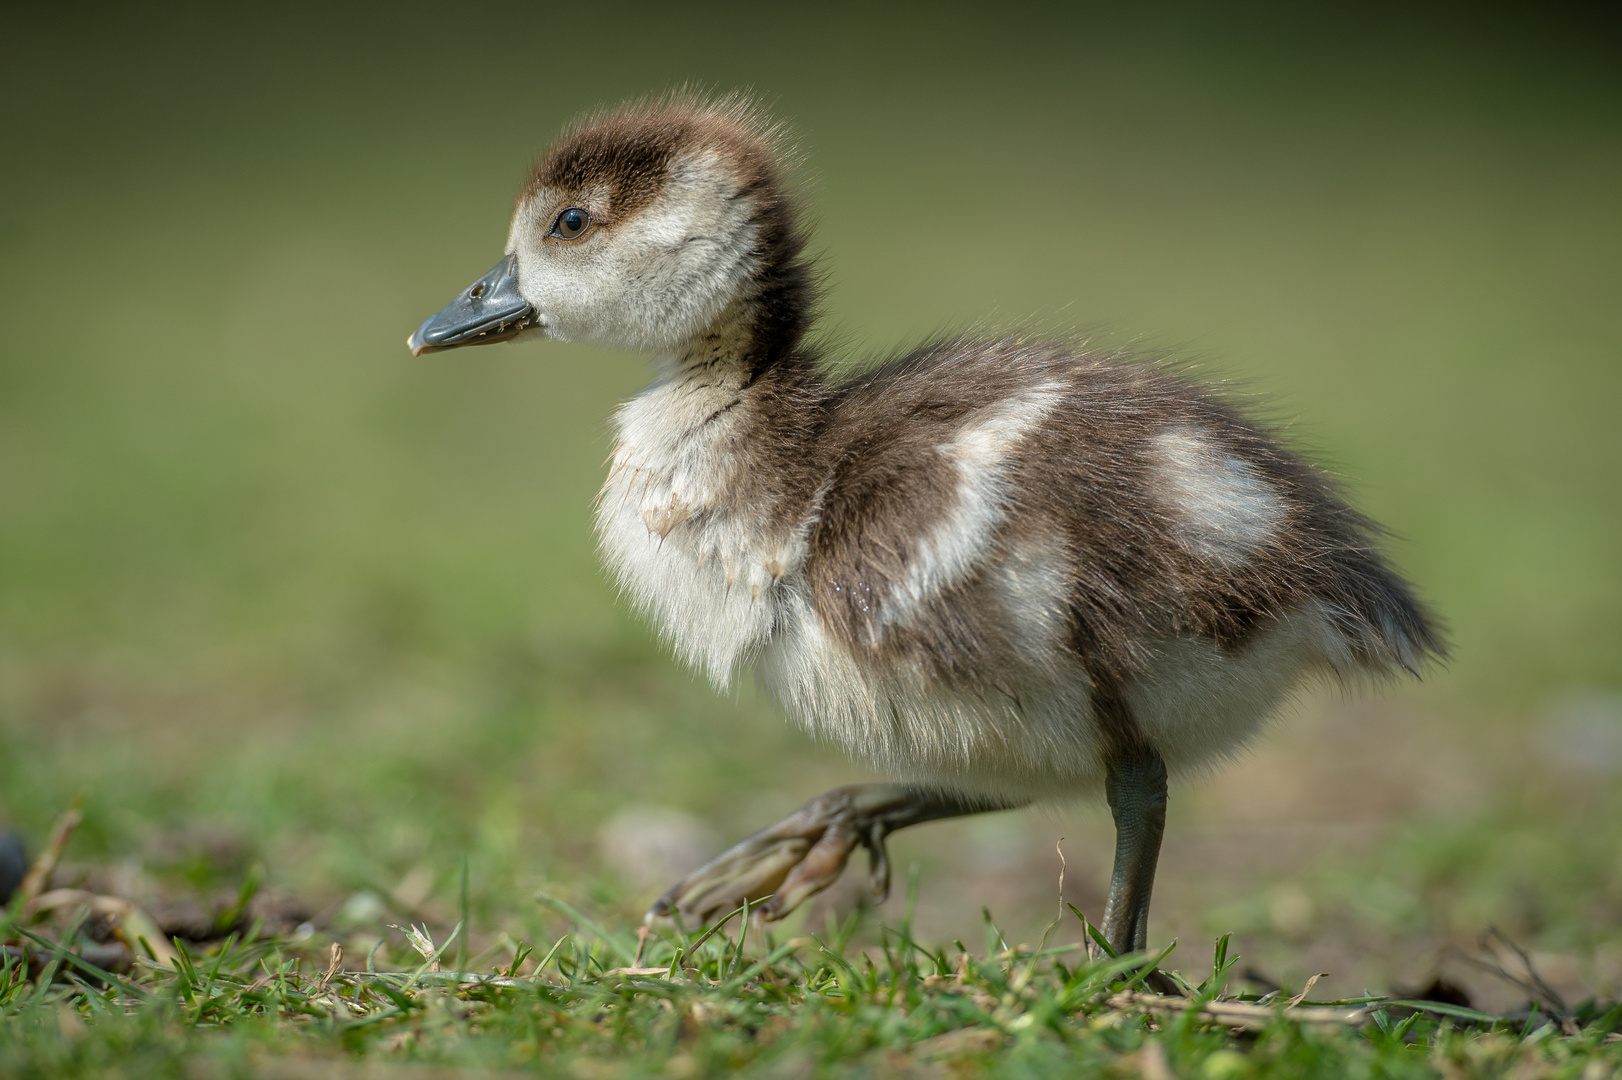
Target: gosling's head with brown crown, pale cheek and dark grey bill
{"x":646,"y":228}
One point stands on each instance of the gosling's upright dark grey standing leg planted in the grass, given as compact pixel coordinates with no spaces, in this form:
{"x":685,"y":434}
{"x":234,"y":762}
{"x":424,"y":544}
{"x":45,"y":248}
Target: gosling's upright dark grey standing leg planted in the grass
{"x":1136,"y":787}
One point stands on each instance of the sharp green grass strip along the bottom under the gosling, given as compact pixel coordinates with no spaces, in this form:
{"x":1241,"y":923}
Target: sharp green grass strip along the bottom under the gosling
{"x":705,"y":1005}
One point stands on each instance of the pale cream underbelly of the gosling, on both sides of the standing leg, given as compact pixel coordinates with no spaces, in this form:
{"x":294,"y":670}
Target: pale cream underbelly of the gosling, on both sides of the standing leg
{"x":1196,"y":706}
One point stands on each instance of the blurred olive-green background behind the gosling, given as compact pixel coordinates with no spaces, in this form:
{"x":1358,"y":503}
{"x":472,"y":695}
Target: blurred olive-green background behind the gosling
{"x":273,"y":589}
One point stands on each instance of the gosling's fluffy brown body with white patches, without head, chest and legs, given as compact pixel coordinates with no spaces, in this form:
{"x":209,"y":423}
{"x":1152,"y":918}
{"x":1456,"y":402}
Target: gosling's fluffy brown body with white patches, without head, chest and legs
{"x":1010,"y":534}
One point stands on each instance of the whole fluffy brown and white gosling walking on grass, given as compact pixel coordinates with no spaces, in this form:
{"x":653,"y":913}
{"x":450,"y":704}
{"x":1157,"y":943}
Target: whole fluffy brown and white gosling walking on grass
{"x":1003,"y":570}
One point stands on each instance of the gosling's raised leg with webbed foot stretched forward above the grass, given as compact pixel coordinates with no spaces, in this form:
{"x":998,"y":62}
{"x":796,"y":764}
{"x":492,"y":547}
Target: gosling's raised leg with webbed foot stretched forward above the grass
{"x":804,"y":854}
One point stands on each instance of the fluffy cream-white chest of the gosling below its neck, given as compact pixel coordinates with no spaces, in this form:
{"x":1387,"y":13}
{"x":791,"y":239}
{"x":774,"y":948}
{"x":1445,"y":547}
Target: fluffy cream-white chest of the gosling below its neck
{"x":682,"y":536}
